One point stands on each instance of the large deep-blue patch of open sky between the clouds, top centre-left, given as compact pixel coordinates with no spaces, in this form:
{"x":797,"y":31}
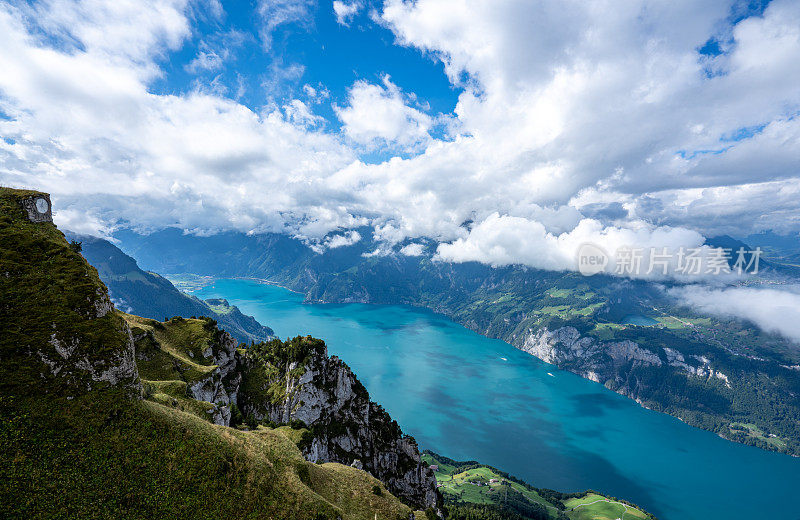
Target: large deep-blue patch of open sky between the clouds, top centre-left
{"x":317,"y":51}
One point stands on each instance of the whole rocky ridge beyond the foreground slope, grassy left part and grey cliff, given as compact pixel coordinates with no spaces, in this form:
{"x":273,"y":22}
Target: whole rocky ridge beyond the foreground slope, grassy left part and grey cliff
{"x":281,"y":383}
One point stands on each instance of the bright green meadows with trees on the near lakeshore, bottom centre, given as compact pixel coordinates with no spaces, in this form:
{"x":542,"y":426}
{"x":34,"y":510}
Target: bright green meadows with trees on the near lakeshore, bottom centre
{"x":458,"y":480}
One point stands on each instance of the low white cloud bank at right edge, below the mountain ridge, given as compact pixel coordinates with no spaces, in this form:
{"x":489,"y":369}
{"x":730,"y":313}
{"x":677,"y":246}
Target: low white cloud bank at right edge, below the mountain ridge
{"x":773,"y":310}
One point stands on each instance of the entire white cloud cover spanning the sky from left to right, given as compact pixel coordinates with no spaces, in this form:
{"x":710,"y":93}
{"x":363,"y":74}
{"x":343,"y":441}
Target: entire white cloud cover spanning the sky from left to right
{"x":574,"y":122}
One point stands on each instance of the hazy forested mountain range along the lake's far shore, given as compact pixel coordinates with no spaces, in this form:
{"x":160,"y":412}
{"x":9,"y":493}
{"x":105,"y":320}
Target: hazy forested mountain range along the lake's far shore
{"x":633,"y":336}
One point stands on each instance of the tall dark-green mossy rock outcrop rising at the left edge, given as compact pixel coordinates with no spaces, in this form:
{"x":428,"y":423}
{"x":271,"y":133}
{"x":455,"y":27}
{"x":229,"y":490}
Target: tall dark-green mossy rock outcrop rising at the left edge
{"x":59,"y":332}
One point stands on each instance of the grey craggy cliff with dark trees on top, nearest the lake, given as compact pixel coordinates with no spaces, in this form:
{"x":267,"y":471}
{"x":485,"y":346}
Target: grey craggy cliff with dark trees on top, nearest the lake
{"x":300,"y":382}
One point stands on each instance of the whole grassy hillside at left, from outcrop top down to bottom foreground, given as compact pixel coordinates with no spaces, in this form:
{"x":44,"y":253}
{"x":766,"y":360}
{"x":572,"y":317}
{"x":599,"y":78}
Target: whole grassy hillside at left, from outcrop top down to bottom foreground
{"x":68,"y":452}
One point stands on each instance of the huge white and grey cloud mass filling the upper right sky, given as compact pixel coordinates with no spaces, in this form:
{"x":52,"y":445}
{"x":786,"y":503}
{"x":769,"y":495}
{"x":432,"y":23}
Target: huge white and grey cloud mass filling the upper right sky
{"x":579,"y":102}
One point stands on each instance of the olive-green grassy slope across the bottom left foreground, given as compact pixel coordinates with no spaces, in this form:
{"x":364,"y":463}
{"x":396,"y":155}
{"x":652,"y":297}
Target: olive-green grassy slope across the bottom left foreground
{"x":93,"y":458}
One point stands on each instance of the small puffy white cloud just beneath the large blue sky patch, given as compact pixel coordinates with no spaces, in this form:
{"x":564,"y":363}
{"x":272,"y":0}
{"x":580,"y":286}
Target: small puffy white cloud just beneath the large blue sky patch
{"x":379,"y":115}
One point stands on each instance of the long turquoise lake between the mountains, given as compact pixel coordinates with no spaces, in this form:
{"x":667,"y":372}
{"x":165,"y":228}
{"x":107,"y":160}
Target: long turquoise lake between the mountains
{"x":469,"y":397}
